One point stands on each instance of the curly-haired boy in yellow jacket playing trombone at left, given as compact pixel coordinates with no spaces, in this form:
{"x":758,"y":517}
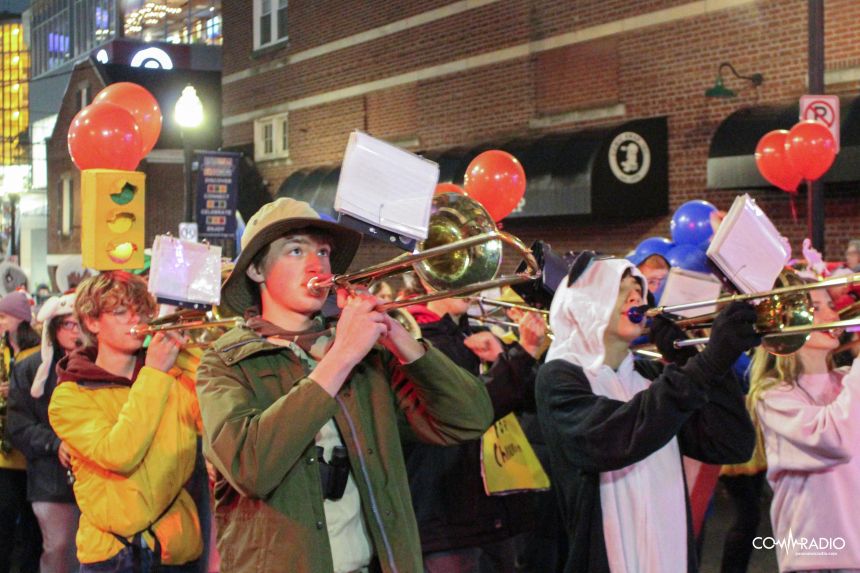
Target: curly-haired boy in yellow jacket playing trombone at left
{"x":130,"y":422}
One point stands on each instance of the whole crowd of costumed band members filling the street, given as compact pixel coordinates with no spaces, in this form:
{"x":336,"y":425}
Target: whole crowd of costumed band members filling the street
{"x":313,"y":440}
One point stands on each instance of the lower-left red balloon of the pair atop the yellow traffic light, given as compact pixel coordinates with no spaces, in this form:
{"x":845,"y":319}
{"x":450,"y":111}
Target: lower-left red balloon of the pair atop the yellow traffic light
{"x":104,"y":136}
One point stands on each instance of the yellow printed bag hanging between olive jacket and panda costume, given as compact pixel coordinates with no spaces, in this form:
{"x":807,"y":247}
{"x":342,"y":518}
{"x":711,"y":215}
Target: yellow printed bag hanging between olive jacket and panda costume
{"x":508,"y":462}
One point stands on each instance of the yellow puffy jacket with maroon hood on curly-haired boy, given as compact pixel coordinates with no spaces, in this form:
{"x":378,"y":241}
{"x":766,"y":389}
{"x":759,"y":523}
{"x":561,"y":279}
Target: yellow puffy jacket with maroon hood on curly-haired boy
{"x":133,"y":448}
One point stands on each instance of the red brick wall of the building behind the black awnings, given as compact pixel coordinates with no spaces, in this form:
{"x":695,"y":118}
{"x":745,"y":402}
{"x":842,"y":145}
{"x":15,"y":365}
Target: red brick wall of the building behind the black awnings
{"x":659,"y":70}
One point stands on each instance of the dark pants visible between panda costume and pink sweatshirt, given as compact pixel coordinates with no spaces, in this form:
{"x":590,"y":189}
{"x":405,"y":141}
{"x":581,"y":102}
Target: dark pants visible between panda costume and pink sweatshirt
{"x":745,"y":493}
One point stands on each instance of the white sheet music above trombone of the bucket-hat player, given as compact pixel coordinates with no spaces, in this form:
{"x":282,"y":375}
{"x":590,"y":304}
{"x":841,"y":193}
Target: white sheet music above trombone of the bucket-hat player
{"x":386,"y":186}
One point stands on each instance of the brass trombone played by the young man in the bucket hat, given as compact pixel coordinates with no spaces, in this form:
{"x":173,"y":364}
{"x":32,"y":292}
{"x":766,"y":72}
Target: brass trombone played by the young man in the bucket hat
{"x":461,"y":256}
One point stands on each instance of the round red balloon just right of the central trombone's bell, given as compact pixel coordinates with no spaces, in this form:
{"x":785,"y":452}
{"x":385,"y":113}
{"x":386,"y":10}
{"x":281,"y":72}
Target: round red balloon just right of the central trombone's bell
{"x":497,"y":181}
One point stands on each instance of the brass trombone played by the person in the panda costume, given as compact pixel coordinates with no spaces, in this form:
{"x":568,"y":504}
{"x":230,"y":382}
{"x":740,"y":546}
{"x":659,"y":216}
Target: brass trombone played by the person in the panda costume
{"x":784,"y":317}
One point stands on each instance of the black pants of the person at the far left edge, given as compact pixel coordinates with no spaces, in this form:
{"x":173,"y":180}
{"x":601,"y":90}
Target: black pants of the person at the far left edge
{"x":18,"y":525}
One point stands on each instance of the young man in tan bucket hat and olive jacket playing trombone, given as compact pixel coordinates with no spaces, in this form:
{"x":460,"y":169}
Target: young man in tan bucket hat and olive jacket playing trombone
{"x":303,"y":423}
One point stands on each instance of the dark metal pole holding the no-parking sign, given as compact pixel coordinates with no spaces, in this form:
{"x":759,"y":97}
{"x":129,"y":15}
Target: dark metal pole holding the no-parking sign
{"x":815,"y":189}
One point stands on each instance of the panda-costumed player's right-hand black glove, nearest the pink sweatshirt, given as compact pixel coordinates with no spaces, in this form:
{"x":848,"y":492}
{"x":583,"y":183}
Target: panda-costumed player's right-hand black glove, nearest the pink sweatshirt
{"x":733,"y":334}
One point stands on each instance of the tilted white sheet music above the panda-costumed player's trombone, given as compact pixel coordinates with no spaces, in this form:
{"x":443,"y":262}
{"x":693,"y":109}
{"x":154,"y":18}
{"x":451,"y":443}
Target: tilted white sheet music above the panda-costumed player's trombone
{"x":748,"y":248}
